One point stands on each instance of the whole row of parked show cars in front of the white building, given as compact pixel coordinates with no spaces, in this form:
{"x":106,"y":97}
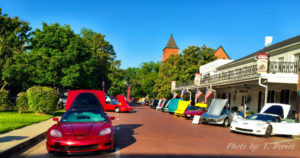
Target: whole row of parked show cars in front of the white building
{"x":270,"y":120}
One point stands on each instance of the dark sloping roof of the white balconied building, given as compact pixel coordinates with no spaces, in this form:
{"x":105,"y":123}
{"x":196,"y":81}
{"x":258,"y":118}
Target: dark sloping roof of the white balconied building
{"x":267,"y":49}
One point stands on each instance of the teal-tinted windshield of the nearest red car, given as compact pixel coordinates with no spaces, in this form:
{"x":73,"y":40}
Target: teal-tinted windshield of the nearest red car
{"x":82,"y":116}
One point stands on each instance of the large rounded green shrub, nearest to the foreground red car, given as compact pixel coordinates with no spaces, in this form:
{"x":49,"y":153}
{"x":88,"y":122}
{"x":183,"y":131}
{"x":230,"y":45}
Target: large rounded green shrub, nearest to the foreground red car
{"x":42,"y":99}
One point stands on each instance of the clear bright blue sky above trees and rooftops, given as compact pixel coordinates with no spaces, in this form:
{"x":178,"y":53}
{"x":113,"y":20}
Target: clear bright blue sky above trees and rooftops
{"x":140,"y":29}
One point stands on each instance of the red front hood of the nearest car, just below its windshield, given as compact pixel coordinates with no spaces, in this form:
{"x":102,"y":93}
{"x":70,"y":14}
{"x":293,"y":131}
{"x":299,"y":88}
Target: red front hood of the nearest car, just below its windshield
{"x":82,"y":128}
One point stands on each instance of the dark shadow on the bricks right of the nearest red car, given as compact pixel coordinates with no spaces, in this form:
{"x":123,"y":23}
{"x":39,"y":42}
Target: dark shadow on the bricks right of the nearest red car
{"x":125,"y":135}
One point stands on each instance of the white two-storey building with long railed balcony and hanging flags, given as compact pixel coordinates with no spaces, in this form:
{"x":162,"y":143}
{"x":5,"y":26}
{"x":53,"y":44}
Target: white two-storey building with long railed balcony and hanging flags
{"x":266,"y":76}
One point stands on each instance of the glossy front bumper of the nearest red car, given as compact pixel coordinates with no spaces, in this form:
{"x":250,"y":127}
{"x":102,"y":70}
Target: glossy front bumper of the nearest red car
{"x":76,"y":144}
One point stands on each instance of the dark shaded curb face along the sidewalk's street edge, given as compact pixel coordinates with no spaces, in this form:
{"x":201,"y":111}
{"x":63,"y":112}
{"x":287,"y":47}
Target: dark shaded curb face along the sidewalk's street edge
{"x":23,"y":145}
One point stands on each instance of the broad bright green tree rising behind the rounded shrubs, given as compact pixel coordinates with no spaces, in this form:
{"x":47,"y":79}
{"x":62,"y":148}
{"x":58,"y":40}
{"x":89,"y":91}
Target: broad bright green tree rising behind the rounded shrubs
{"x":60,"y":58}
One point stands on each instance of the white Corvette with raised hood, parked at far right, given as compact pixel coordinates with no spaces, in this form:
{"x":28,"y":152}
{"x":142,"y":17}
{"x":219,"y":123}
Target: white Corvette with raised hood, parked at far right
{"x":270,"y":121}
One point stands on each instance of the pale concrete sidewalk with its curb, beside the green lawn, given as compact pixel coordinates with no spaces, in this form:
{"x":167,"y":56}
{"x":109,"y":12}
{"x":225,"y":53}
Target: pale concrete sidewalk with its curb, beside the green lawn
{"x":17,"y":139}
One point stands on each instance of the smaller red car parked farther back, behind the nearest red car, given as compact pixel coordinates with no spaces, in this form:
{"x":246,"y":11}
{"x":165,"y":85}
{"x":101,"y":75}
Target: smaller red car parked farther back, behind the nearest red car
{"x":119,"y":106}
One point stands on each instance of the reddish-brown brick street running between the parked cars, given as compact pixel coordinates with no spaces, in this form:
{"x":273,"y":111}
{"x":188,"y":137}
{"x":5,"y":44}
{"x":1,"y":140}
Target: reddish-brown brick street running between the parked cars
{"x":151,"y":133}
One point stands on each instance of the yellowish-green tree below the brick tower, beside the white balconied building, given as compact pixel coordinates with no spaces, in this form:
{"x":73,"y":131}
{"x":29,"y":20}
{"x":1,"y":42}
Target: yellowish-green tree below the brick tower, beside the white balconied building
{"x":181,"y":68}
